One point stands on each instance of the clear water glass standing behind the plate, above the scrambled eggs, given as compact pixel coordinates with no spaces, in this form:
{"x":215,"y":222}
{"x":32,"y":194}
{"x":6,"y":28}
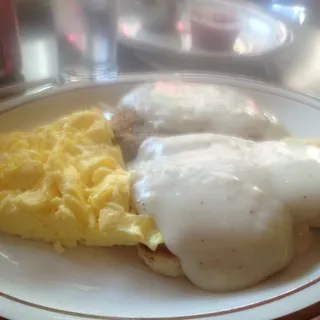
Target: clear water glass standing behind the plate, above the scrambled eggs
{"x":86,"y":33}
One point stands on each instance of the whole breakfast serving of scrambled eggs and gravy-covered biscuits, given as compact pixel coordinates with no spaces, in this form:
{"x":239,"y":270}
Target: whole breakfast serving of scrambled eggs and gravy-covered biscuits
{"x":182,"y":170}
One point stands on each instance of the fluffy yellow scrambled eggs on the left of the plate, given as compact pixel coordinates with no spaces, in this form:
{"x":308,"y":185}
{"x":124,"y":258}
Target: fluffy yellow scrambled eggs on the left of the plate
{"x":65,"y":183}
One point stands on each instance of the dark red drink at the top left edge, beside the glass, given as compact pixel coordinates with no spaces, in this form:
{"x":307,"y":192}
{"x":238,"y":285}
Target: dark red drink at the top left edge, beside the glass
{"x":10,"y":57}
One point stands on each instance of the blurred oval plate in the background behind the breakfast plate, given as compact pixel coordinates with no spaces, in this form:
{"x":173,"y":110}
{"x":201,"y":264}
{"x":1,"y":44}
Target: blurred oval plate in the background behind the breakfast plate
{"x":204,"y":28}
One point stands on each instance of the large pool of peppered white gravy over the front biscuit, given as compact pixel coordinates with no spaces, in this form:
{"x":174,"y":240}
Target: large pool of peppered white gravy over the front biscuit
{"x":230,"y":209}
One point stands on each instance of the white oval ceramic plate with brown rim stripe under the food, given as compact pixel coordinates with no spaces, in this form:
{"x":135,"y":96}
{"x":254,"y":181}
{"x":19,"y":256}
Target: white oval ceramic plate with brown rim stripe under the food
{"x":97,"y":283}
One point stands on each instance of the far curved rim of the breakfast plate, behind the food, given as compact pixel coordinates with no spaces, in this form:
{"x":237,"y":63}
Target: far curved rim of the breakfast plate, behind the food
{"x":51,"y":89}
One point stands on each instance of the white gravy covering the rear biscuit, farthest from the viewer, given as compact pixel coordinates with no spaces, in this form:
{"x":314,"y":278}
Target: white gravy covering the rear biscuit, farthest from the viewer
{"x":178,"y":107}
